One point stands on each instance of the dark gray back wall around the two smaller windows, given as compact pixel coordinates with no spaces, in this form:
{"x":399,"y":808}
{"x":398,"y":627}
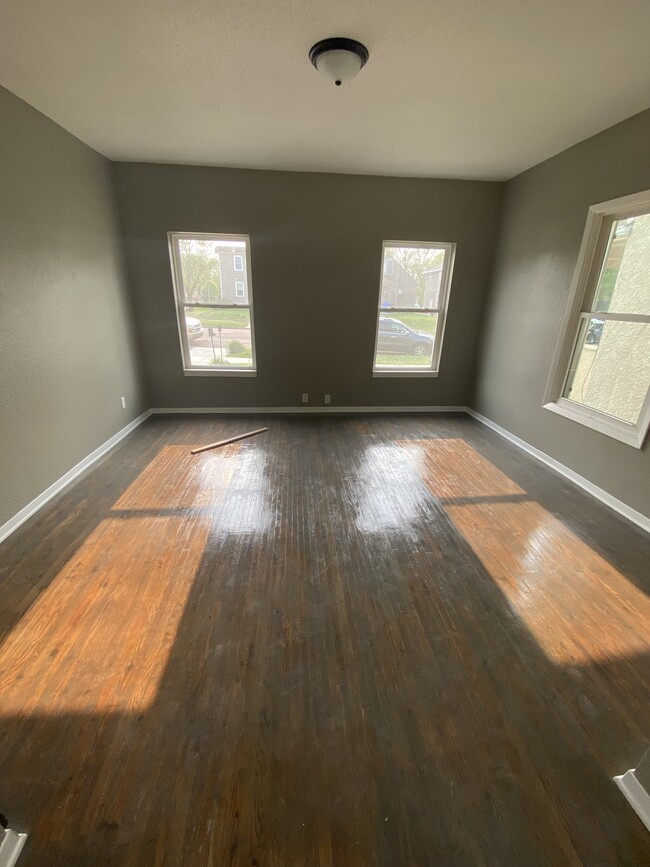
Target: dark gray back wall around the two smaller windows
{"x":316,"y":260}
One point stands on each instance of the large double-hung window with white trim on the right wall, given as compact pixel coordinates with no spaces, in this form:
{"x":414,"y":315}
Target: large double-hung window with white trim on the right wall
{"x":601,"y":371}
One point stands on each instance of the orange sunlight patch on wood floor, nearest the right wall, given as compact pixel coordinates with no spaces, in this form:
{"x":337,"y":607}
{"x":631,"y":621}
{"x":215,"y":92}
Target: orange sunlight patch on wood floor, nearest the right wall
{"x":578,"y":607}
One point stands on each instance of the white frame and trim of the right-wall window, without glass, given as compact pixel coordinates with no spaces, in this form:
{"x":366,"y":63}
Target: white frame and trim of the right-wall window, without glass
{"x":583,"y":287}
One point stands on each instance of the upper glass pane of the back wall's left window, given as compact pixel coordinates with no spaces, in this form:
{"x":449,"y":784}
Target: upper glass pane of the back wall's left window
{"x":213,"y":271}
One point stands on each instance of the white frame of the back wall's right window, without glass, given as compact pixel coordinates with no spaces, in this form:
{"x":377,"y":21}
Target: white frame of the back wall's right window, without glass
{"x":443,"y":302}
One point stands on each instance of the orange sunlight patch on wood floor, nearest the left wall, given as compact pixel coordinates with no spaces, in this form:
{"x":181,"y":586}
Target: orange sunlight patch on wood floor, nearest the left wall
{"x":99,"y":637}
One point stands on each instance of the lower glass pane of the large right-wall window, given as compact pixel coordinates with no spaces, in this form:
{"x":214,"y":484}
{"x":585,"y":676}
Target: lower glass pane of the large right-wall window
{"x":610,"y":368}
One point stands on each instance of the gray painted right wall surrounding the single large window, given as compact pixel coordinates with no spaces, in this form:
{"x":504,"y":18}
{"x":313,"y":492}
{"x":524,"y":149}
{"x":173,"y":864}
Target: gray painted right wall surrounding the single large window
{"x":544,"y":216}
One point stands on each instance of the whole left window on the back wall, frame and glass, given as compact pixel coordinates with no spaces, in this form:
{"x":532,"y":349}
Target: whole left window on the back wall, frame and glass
{"x":214,"y":307}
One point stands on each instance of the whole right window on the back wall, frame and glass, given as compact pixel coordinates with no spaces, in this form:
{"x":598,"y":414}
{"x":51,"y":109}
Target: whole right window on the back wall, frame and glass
{"x":413,"y":297}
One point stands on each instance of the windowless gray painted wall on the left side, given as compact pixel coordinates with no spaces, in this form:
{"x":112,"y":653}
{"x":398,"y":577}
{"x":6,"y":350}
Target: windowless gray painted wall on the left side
{"x":67,"y":345}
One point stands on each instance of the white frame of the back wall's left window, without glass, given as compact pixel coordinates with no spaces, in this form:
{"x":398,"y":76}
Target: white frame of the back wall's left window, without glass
{"x":181,"y":305}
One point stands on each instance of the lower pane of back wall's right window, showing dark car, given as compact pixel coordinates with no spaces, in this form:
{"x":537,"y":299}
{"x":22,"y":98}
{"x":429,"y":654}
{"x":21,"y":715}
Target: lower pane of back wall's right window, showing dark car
{"x":405,"y":340}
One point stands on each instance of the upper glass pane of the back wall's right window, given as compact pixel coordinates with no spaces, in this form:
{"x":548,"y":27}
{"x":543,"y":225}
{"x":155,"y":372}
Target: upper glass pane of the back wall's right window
{"x":411,"y":277}
